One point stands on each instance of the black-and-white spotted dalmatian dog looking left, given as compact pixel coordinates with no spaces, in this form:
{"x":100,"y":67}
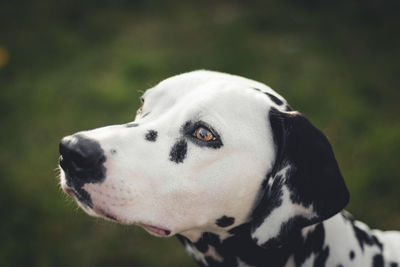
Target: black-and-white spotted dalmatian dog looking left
{"x":224,"y":164}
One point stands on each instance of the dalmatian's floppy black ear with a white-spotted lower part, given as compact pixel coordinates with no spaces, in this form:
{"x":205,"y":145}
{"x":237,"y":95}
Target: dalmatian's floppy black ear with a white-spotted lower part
{"x":305,"y":185}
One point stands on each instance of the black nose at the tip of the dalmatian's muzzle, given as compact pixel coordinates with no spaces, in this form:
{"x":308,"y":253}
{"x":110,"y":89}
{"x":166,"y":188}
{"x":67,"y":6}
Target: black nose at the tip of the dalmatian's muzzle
{"x":82,"y":159}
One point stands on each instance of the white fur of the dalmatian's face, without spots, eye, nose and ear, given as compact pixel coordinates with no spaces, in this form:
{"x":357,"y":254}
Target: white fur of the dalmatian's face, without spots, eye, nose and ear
{"x":143,"y":186}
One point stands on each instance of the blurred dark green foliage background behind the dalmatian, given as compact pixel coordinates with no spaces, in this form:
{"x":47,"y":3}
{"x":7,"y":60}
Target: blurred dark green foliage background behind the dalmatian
{"x":72,"y":65}
